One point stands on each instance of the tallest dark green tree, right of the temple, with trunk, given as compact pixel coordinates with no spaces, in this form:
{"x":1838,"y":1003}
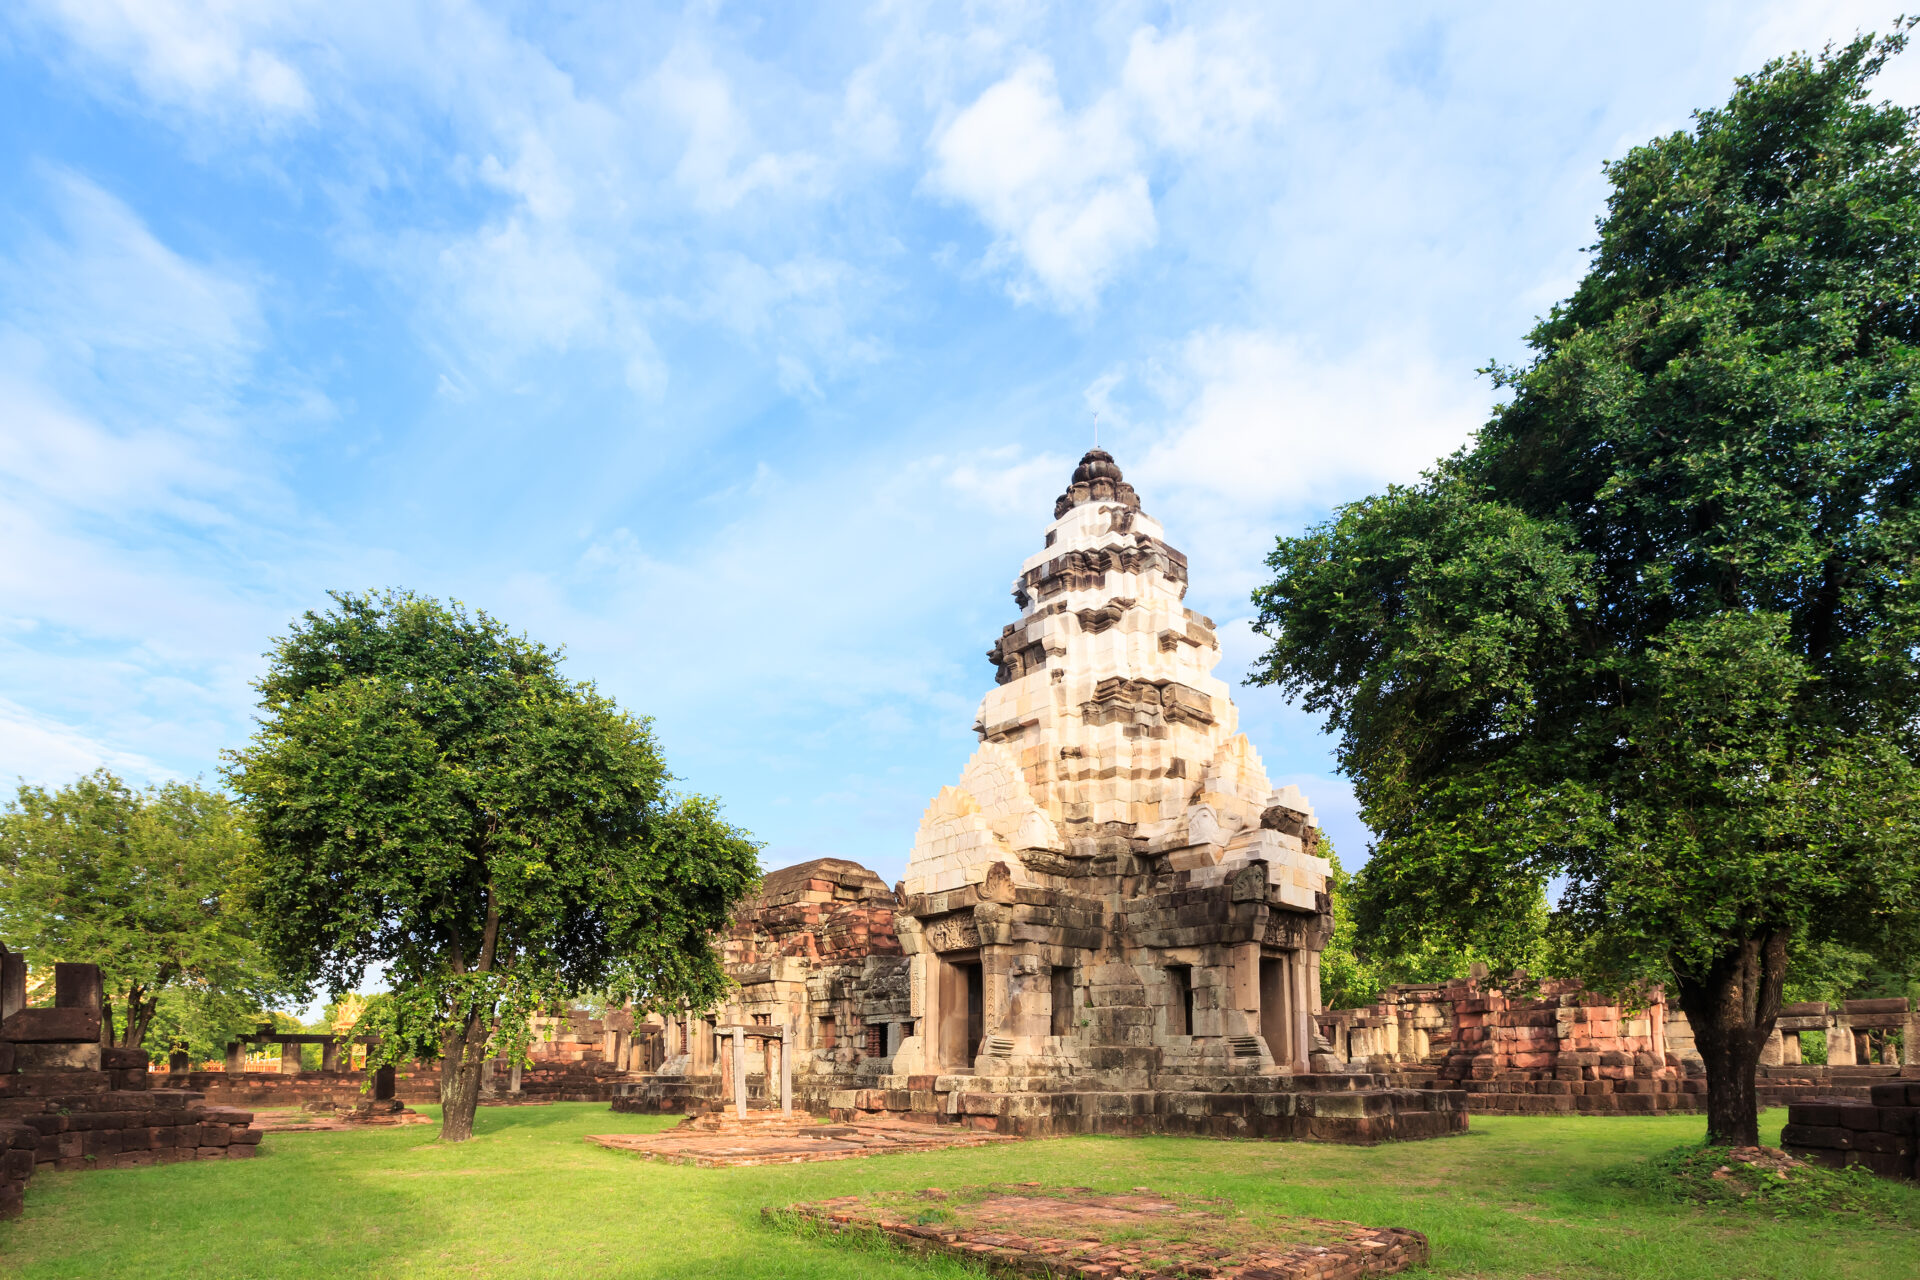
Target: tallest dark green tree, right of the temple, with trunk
{"x":1656,"y":630}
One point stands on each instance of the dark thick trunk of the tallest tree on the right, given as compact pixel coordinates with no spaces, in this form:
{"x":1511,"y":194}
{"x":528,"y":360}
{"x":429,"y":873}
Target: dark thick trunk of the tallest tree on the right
{"x":1733,"y":1007}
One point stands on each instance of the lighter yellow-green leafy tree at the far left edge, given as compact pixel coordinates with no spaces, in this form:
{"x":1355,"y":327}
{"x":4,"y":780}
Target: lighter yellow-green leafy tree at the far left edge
{"x":143,"y":884}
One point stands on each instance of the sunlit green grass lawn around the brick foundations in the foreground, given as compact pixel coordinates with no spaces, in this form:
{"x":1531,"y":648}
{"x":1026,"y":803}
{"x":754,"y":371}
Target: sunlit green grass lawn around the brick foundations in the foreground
{"x":529,"y":1198}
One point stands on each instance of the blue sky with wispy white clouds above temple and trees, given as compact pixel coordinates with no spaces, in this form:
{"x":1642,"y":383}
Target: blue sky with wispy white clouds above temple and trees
{"x":744,"y":348}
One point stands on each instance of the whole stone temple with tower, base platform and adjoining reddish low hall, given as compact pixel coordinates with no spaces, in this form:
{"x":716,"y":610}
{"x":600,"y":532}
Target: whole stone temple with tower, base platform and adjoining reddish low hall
{"x":1111,"y":924}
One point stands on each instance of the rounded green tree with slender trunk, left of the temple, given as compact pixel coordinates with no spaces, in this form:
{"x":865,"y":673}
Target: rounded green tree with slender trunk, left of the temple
{"x":435,"y":797}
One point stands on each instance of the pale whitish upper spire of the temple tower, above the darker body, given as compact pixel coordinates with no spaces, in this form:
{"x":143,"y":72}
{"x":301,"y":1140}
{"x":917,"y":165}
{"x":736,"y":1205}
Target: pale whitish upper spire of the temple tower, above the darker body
{"x":1109,"y":734}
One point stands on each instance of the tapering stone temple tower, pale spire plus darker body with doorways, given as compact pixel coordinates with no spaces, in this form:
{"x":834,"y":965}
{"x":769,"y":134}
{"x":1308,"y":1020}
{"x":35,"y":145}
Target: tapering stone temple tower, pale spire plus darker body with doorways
{"x":1113,"y":907}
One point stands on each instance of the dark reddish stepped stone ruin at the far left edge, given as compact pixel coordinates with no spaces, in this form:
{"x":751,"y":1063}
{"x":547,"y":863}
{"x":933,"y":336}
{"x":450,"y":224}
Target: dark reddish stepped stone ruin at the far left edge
{"x":72,"y":1102}
